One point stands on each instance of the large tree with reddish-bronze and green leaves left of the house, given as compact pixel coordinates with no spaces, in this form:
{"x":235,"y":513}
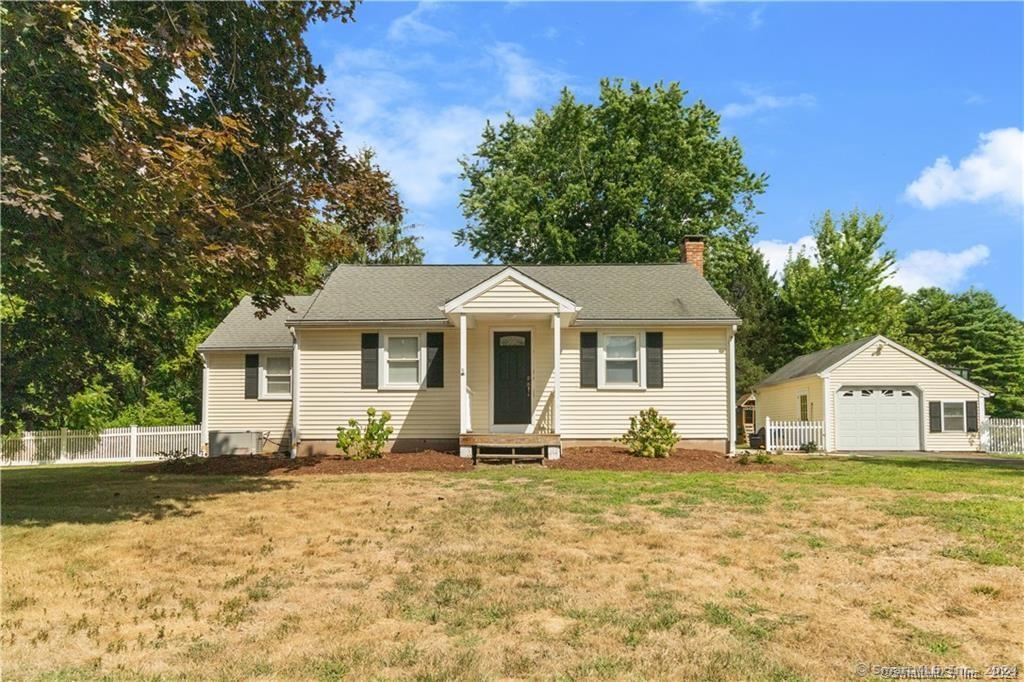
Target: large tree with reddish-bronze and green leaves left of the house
{"x":159,"y":159}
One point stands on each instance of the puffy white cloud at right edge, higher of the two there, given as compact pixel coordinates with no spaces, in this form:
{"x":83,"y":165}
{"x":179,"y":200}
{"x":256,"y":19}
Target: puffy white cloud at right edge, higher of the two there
{"x":995,"y":170}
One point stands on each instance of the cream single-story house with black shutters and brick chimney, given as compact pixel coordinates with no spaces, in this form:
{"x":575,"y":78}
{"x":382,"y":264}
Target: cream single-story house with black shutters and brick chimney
{"x":480,"y":356}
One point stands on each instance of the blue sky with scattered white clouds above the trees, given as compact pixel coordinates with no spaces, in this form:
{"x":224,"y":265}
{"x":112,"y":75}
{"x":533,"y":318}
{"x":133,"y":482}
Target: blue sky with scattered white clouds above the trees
{"x":916,"y":110}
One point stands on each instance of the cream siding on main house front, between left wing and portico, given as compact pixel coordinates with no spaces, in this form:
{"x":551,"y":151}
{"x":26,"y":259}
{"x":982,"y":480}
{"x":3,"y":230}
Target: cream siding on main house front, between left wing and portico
{"x":330,"y":394}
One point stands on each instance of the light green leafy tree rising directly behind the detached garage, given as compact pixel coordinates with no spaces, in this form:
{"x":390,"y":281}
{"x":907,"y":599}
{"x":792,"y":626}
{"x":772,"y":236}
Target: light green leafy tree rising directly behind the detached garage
{"x":841,"y":293}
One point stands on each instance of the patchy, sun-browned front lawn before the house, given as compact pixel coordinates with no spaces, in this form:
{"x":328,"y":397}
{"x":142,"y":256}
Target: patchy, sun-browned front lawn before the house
{"x":513,"y":573}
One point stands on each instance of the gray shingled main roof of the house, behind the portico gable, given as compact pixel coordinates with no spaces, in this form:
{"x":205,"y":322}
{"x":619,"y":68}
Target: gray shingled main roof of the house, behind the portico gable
{"x":386,"y":293}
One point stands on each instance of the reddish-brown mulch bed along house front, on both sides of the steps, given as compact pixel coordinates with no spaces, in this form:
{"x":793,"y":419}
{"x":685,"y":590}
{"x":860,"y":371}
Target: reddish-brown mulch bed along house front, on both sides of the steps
{"x":611,"y":459}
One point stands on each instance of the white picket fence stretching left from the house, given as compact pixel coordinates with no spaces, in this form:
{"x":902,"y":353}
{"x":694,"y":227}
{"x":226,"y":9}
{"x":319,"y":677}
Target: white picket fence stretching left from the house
{"x":131,"y":444}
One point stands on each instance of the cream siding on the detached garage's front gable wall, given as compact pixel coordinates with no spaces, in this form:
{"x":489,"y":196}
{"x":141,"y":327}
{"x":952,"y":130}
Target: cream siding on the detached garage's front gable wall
{"x":881,"y":365}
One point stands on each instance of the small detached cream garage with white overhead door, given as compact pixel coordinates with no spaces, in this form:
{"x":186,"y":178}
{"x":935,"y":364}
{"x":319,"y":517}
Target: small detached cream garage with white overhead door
{"x":875,"y":395}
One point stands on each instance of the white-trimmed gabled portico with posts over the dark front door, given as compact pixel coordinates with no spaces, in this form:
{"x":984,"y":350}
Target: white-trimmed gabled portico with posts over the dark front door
{"x":509,"y":361}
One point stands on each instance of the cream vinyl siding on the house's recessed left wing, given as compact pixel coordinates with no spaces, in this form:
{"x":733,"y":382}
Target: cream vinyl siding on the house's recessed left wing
{"x":228,"y":409}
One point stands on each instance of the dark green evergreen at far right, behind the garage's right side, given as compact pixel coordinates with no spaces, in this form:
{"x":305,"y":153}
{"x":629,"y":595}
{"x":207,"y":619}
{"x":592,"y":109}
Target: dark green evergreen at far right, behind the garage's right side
{"x":973,"y":332}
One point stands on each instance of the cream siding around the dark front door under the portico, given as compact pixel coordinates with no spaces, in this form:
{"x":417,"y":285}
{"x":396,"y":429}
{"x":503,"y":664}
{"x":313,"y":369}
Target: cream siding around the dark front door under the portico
{"x":480,"y":340}
